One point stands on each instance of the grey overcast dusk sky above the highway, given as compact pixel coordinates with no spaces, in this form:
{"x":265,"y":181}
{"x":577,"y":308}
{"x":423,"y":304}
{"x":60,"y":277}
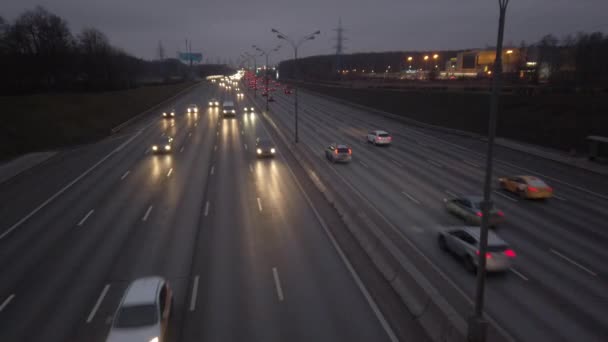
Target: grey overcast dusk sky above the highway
{"x":226,"y":28}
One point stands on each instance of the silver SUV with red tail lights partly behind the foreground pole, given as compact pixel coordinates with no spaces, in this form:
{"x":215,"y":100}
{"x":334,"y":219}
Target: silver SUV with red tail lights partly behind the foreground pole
{"x":463,"y":242}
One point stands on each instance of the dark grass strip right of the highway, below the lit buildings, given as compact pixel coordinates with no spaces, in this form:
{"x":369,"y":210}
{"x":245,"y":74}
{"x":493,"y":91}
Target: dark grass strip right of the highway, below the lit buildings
{"x":557,"y":121}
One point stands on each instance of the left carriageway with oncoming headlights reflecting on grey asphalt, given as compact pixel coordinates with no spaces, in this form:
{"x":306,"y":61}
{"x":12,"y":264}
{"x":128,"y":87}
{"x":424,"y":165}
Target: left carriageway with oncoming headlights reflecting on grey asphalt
{"x":242,"y":245}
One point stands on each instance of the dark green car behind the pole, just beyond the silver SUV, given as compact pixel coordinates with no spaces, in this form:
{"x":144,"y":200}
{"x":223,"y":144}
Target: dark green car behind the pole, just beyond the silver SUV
{"x":468,"y":208}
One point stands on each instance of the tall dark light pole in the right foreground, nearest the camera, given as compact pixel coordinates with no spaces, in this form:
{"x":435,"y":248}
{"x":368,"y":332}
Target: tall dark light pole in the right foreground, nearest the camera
{"x":477,"y":324}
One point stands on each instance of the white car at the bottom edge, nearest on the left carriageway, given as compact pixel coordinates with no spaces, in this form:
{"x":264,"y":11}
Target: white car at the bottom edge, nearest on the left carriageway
{"x":143,"y":313}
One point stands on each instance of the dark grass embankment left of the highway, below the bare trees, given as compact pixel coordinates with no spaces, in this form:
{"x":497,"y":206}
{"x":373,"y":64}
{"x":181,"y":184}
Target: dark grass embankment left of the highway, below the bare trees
{"x":51,"y":121}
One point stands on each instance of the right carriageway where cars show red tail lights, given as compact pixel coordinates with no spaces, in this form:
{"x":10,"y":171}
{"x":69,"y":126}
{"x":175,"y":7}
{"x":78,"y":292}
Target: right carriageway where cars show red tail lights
{"x":556,"y":288}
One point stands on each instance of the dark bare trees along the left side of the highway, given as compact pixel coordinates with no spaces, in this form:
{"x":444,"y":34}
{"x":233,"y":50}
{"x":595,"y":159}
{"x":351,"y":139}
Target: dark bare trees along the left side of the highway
{"x":38,"y":52}
